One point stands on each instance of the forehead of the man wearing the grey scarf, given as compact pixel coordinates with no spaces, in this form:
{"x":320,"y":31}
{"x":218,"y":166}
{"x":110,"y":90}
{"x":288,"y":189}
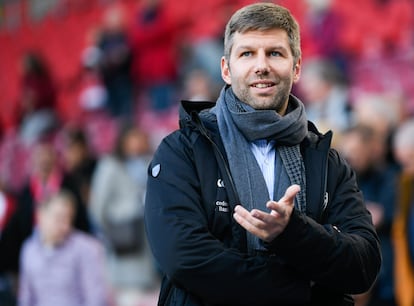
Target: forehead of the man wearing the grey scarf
{"x":272,"y":38}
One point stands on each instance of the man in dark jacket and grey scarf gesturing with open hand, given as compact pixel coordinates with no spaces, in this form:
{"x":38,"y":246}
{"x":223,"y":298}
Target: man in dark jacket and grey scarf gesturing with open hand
{"x":246,"y":204}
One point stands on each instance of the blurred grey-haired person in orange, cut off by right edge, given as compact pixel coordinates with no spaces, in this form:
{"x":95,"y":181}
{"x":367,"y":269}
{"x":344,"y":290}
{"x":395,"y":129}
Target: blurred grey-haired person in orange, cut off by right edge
{"x":403,"y":230}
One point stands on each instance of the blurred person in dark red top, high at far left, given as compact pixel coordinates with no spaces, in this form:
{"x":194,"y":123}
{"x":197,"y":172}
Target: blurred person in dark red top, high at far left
{"x":37,"y":99}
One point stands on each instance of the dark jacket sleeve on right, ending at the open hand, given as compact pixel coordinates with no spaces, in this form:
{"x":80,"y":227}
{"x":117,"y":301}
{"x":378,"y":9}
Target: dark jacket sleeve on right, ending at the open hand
{"x":342,"y":253}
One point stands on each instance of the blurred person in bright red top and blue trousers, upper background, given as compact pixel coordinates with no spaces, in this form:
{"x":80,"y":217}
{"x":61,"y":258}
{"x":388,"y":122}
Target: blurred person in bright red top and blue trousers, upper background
{"x":153,"y":35}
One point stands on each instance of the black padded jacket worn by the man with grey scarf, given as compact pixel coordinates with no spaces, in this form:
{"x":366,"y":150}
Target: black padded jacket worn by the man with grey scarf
{"x":330,"y":251}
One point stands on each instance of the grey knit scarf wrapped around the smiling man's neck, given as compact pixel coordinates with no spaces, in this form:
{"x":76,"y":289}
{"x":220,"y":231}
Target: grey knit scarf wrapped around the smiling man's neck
{"x":239,"y":125}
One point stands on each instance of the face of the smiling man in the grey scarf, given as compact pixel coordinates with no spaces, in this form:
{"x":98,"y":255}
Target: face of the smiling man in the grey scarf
{"x":261,"y":69}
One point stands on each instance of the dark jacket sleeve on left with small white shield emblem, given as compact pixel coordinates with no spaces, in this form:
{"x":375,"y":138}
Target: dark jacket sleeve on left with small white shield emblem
{"x":190,"y":256}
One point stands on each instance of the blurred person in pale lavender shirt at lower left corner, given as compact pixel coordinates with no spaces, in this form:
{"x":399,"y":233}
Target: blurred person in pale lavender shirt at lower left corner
{"x":60,"y":265}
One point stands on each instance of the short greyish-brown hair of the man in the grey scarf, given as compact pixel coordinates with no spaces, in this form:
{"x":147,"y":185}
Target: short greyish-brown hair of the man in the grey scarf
{"x":261,"y":17}
